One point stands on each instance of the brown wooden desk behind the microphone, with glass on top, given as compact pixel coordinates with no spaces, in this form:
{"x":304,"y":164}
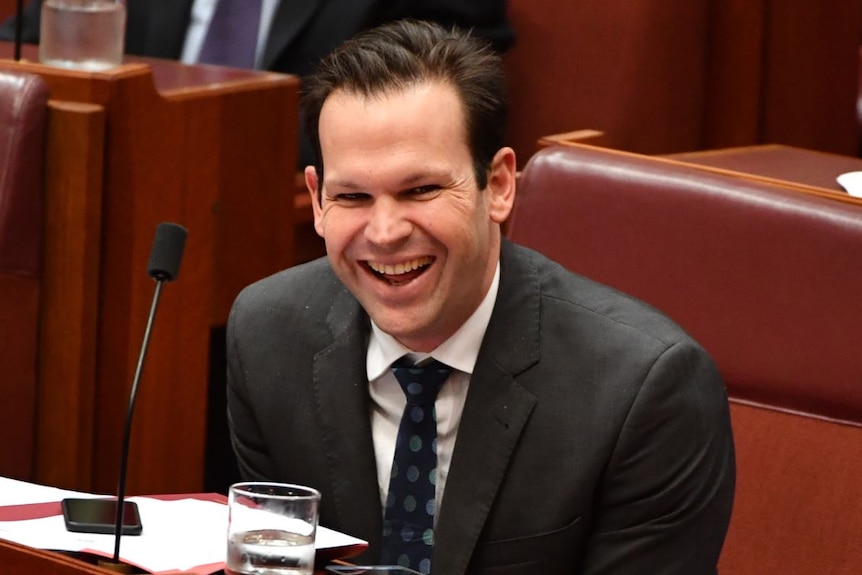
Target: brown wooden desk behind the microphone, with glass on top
{"x":210,"y":148}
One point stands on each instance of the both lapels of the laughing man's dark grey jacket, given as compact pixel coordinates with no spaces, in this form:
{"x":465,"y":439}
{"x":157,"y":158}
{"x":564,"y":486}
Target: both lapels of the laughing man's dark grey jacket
{"x":495,"y":415}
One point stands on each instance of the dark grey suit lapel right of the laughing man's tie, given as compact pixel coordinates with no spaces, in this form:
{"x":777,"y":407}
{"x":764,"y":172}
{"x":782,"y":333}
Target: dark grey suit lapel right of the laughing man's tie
{"x":495,"y":414}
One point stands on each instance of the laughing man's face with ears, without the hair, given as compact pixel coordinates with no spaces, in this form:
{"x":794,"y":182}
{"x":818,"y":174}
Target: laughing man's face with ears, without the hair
{"x":406,"y":228}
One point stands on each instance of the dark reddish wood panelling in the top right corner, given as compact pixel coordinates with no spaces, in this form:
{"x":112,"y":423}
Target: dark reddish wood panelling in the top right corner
{"x":783,"y":72}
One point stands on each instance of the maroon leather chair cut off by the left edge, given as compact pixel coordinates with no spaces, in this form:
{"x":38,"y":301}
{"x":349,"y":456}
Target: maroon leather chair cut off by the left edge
{"x":23,"y":101}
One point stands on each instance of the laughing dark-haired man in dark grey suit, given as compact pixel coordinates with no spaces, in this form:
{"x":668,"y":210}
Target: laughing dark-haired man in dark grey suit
{"x":579,"y":430}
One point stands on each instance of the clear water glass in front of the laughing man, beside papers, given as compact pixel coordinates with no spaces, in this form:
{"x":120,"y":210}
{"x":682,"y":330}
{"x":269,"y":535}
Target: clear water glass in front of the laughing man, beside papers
{"x":271,"y":529}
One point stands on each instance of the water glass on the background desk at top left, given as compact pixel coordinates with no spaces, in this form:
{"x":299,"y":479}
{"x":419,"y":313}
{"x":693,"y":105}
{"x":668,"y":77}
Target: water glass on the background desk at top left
{"x":82,"y":34}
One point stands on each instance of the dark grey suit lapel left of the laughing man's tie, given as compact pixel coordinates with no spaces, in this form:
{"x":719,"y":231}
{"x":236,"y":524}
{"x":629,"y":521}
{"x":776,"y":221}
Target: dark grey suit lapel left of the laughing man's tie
{"x":341,"y":388}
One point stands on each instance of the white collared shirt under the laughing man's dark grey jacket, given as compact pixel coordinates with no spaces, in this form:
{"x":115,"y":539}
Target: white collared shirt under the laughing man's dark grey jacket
{"x":387,"y":399}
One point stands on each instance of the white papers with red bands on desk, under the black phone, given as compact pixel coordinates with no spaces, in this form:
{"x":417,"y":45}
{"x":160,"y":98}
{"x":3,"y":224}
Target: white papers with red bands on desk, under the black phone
{"x":182,"y":533}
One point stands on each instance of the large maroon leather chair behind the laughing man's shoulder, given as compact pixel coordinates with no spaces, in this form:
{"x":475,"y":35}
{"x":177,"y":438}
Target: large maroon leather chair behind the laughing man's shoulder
{"x":769,"y":281}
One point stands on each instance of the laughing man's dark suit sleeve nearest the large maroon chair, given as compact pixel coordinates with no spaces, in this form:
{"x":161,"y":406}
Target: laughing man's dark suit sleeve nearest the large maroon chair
{"x":666,"y":501}
